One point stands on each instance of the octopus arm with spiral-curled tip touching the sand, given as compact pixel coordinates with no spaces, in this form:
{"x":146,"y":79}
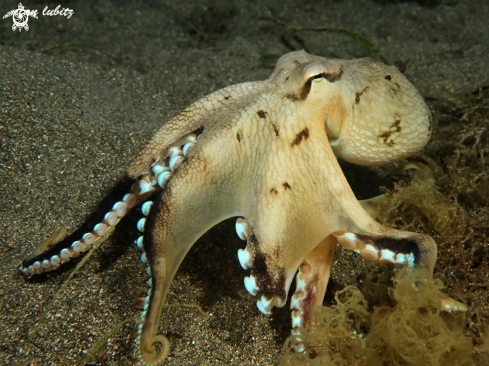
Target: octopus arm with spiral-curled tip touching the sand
{"x":164,"y":250}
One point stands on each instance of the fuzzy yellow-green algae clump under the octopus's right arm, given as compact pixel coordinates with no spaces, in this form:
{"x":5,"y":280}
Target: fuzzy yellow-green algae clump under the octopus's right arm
{"x":414,"y":332}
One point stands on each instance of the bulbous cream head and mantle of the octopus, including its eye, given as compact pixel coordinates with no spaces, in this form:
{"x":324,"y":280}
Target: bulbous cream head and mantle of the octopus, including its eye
{"x":372,"y":114}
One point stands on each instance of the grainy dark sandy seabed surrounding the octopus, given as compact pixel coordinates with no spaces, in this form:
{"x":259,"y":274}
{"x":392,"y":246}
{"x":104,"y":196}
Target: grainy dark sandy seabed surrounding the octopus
{"x":79,"y":97}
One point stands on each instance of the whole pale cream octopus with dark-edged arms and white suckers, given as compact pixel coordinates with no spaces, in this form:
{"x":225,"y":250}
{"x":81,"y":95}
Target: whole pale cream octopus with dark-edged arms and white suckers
{"x":266,"y":153}
